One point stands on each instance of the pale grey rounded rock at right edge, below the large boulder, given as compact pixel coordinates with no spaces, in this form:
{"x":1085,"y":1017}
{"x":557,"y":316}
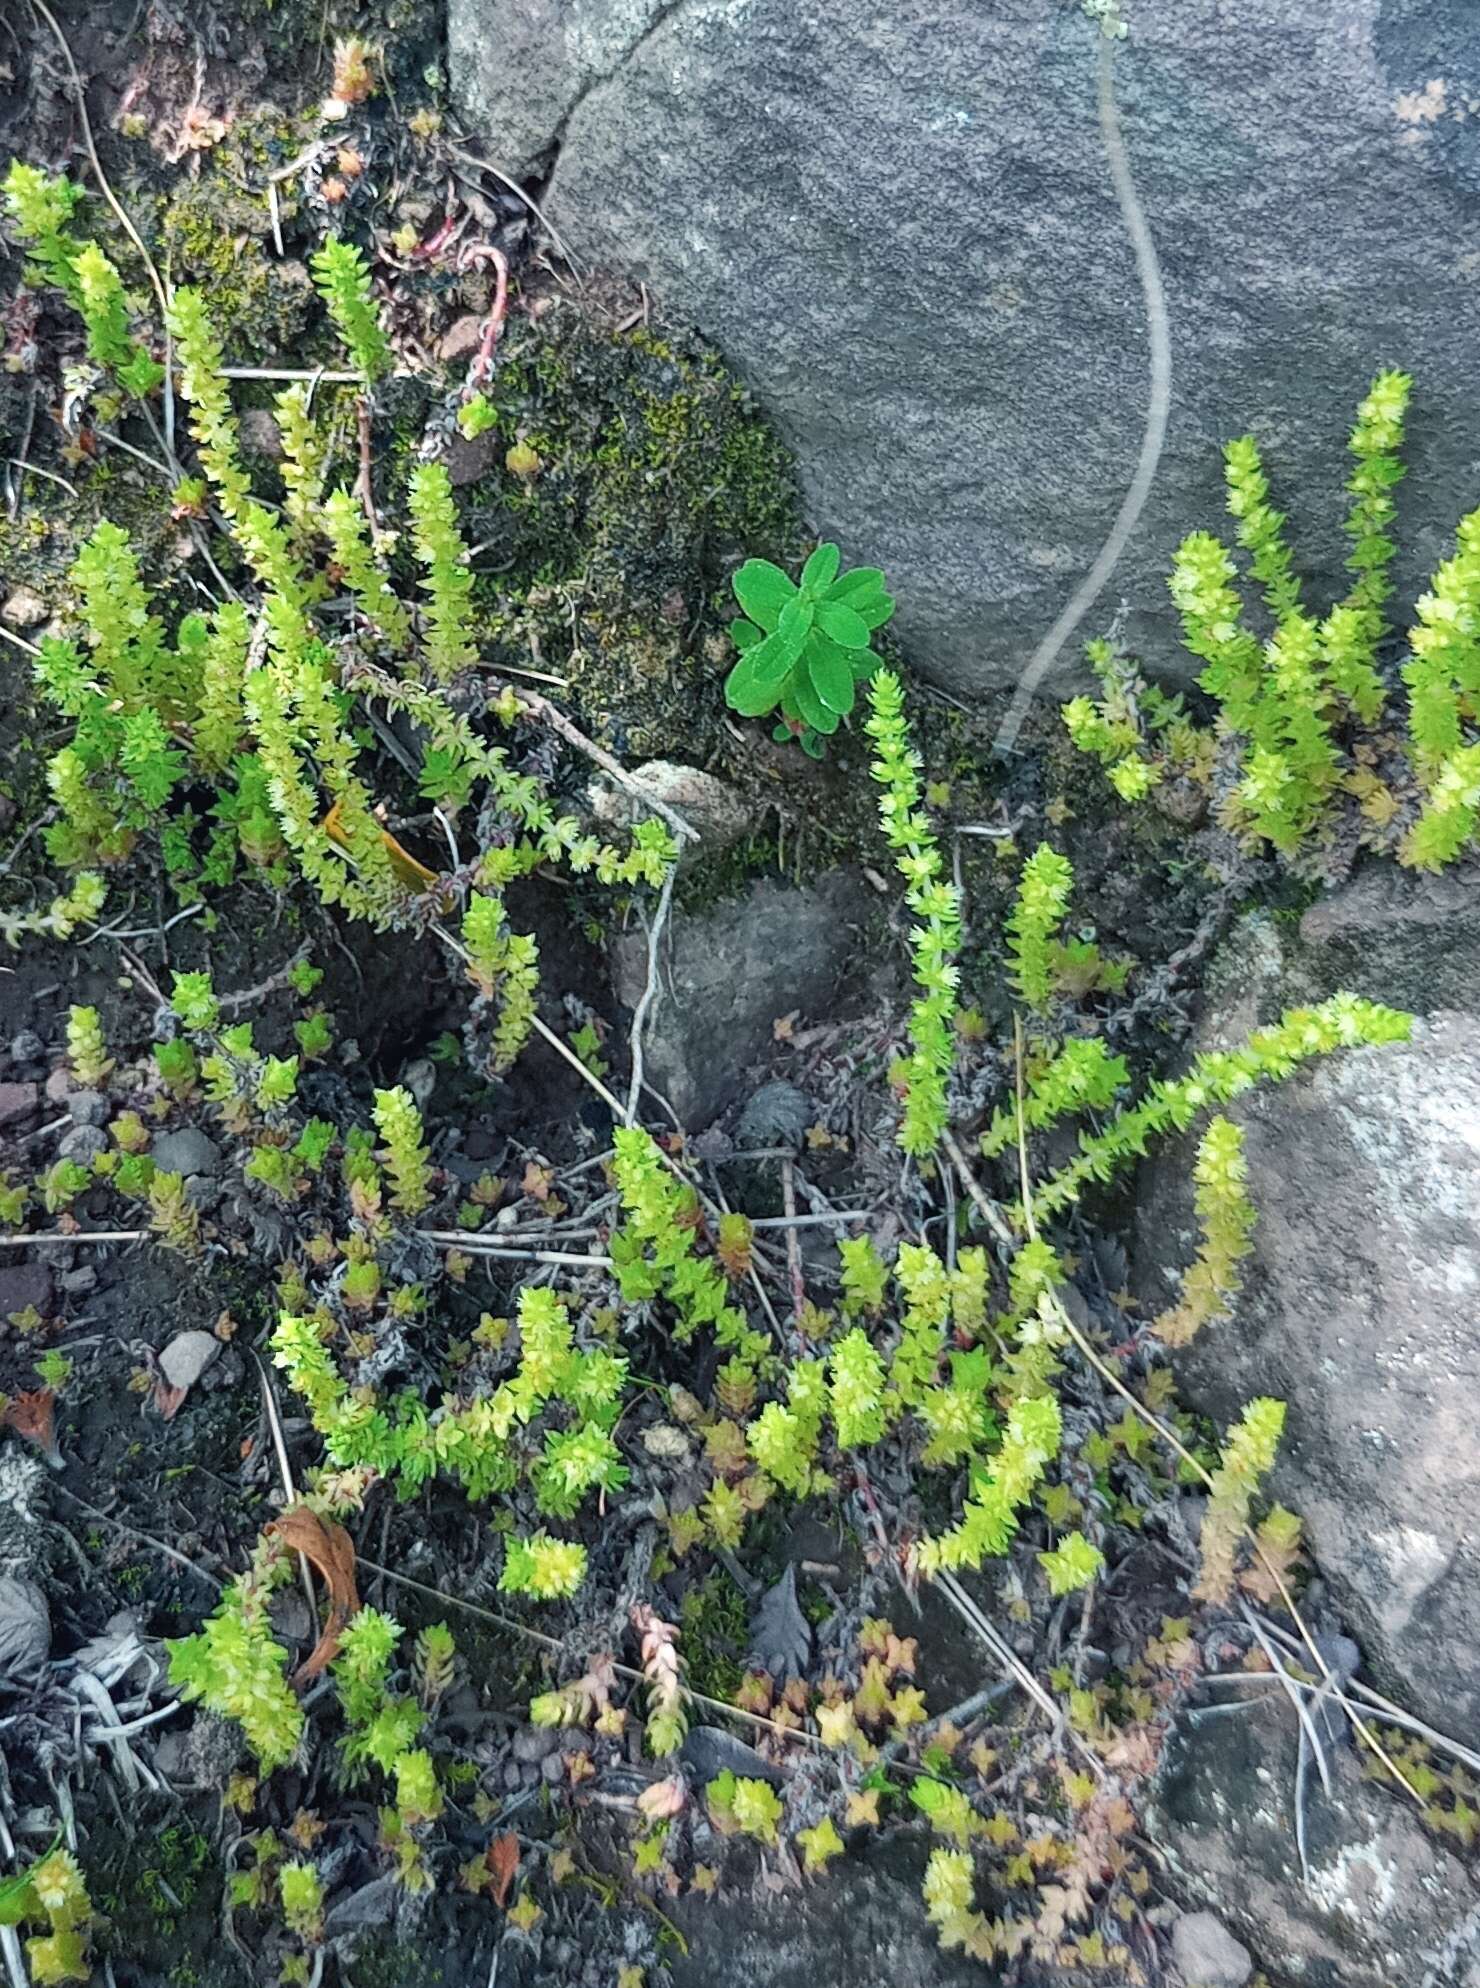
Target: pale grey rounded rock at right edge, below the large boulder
{"x":1362,"y":1303}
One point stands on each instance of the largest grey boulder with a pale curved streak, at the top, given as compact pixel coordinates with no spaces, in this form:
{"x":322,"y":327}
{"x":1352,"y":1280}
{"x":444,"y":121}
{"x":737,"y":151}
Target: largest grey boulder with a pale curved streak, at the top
{"x":898,"y":224}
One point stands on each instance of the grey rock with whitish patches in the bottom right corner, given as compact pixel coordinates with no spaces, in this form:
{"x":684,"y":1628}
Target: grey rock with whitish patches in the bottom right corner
{"x":1386,"y":1904}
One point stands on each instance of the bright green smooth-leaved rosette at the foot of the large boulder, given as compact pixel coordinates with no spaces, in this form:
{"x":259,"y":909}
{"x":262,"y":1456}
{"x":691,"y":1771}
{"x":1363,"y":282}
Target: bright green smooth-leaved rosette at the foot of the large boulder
{"x":805,"y":647}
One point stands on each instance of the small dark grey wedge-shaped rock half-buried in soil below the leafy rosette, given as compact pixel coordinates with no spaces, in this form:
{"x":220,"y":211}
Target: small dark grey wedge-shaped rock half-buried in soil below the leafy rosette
{"x":735,"y":971}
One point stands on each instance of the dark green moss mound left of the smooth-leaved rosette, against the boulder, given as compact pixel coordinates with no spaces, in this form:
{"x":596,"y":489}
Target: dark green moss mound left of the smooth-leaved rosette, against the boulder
{"x":655,"y":480}
